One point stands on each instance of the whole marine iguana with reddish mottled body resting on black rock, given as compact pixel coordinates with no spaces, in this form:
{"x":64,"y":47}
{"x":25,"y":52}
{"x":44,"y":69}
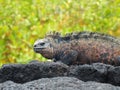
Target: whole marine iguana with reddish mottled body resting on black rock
{"x":80,"y":48}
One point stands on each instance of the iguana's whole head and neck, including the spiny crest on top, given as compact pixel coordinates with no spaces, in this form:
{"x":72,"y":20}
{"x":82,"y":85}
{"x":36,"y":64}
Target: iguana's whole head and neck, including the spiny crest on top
{"x":51,"y":44}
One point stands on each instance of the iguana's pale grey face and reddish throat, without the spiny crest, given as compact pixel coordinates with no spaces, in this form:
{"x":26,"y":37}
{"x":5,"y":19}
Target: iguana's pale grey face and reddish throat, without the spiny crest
{"x":44,"y":47}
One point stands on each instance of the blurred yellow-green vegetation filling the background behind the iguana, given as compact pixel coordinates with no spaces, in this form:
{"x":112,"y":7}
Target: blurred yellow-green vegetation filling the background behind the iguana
{"x":24,"y":21}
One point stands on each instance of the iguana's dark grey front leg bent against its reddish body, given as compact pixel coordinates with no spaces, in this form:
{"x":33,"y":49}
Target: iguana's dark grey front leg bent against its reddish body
{"x":67,"y":57}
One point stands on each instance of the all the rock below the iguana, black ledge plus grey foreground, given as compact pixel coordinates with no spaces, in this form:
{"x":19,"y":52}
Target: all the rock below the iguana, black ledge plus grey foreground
{"x":29,"y":76}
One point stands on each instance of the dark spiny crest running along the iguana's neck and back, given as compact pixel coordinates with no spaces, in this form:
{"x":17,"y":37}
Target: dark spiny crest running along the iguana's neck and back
{"x":82,"y":35}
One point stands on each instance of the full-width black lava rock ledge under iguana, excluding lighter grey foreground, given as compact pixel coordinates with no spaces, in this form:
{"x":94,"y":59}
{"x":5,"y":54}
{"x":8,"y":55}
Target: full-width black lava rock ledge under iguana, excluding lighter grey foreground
{"x":24,"y":73}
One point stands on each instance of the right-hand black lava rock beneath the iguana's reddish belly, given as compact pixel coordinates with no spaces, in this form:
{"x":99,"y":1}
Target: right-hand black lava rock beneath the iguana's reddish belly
{"x":95,"y":72}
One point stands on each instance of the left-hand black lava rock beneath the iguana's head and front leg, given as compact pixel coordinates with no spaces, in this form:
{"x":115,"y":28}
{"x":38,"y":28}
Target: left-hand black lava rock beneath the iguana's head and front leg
{"x":21,"y":73}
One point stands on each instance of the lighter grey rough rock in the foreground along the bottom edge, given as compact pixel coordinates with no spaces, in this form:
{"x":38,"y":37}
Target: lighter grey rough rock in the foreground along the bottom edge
{"x":57,"y":83}
